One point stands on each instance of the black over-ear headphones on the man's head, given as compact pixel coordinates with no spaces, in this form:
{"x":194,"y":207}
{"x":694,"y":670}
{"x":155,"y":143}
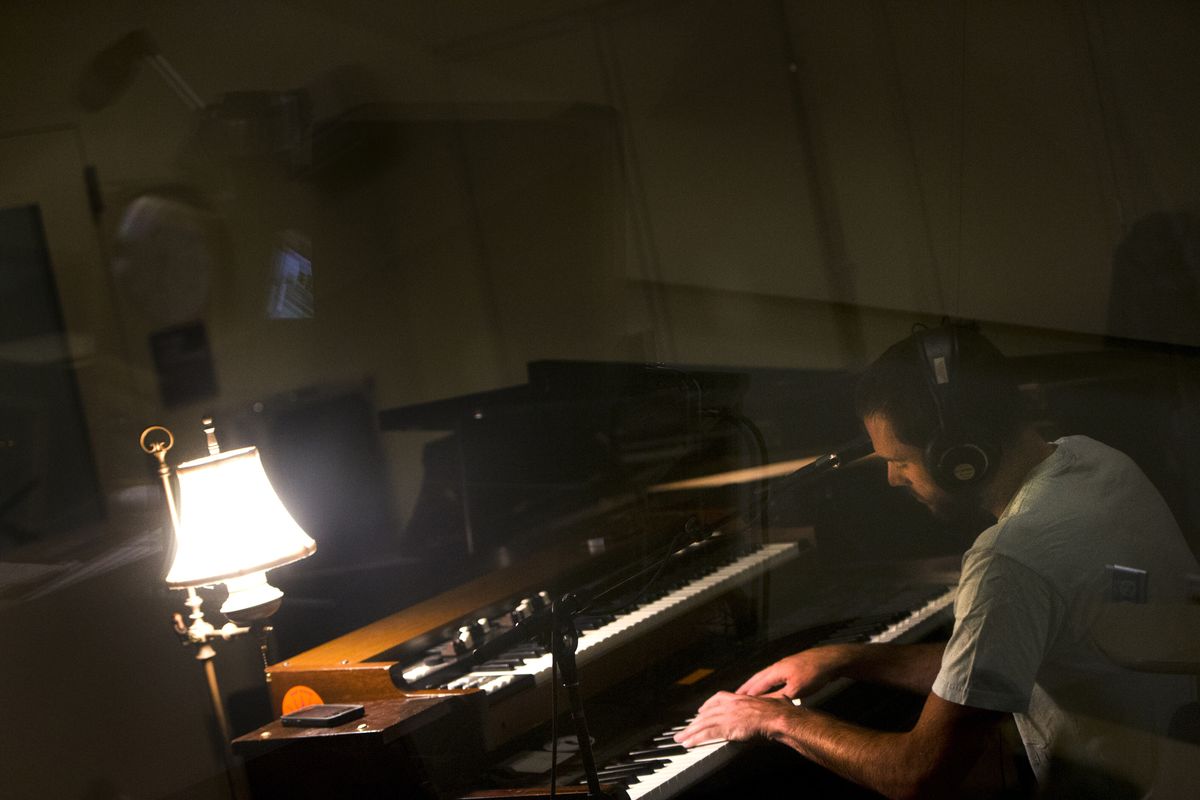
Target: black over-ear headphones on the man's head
{"x":957,"y":458}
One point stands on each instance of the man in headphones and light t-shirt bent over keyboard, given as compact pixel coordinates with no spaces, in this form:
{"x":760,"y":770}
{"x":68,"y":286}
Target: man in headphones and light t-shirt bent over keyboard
{"x":946,"y":417}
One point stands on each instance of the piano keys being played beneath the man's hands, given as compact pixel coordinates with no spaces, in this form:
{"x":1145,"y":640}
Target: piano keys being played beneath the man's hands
{"x":664,"y":769}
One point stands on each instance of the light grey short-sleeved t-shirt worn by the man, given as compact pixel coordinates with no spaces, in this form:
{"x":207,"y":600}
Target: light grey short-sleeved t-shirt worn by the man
{"x":1033,"y":590}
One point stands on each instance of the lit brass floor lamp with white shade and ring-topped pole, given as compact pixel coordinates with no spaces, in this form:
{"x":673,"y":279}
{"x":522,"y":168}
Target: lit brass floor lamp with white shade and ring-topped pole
{"x":230,"y":528}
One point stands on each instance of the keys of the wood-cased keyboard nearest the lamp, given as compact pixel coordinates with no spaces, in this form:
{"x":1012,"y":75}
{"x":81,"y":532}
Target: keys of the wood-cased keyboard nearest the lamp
{"x":533,"y":664}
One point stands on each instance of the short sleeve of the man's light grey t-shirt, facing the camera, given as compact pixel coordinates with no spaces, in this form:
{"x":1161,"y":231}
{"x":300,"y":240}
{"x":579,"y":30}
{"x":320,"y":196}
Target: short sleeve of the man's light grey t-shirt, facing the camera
{"x":1004,"y":616}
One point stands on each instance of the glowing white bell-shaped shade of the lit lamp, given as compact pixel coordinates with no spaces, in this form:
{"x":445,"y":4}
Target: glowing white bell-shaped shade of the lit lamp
{"x":231,"y":522}
